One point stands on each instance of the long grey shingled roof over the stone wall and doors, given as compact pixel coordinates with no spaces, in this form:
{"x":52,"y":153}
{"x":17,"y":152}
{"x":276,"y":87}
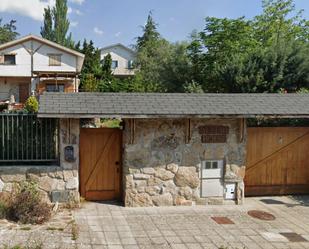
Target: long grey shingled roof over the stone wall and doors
{"x":141,"y":105}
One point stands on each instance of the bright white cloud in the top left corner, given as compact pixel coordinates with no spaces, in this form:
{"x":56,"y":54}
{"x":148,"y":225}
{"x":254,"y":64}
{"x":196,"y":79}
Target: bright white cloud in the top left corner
{"x":31,"y":8}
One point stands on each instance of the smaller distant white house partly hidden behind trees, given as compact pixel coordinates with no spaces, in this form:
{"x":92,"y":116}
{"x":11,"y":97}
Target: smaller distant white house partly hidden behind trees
{"x":122,"y":59}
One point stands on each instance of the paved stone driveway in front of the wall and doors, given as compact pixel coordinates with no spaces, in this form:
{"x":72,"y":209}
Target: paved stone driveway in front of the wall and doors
{"x":112,"y":226}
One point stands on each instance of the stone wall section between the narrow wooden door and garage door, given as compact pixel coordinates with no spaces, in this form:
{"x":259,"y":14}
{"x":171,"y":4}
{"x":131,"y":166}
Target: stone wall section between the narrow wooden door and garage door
{"x":162,"y":168}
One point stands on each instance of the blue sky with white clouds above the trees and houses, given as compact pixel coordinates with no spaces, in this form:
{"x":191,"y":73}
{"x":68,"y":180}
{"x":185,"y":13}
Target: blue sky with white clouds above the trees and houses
{"x":107,"y":22}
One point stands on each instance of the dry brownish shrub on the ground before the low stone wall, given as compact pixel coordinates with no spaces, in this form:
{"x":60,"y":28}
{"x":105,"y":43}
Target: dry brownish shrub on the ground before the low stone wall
{"x":26,"y":205}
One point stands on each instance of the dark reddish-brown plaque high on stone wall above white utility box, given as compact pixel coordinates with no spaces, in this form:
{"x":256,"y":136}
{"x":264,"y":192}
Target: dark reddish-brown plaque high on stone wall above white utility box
{"x":213,"y":134}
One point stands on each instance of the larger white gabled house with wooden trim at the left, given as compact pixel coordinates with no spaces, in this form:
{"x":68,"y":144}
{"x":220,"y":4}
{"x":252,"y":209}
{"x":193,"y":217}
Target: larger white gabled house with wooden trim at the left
{"x":33,"y":64}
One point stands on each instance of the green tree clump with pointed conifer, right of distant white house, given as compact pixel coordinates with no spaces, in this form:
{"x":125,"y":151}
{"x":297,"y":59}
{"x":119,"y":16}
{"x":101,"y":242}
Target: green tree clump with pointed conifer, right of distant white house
{"x":162,"y":66}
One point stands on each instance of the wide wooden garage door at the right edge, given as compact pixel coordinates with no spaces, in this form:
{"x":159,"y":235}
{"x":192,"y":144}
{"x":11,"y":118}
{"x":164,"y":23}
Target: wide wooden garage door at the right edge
{"x":277,"y":161}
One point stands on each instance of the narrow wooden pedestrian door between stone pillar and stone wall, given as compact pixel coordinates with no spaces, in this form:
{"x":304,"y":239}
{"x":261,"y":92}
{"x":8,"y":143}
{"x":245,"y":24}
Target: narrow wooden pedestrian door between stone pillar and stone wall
{"x":100,"y":159}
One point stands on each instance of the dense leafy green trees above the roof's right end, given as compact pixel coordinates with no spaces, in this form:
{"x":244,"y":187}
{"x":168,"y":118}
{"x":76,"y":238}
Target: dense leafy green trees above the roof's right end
{"x":264,"y":54}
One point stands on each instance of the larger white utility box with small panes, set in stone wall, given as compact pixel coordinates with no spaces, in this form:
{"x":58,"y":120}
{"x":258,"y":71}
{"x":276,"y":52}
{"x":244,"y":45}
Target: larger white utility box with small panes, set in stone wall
{"x":212,"y":178}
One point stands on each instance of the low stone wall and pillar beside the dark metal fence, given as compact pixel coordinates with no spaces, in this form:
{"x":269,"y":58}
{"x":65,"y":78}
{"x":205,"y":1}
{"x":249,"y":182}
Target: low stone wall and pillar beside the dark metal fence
{"x":57,"y":183}
